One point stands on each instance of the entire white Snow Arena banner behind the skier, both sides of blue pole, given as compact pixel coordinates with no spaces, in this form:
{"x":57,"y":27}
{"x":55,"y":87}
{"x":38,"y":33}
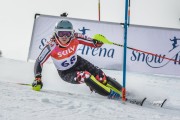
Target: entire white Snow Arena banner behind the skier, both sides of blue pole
{"x":159,"y":46}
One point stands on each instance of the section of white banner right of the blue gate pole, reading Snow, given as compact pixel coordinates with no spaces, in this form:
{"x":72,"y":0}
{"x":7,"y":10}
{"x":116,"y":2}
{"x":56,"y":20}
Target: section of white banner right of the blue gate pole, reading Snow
{"x":162,"y":42}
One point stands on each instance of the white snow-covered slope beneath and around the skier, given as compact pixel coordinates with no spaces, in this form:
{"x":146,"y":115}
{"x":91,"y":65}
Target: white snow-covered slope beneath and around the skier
{"x":59,"y":100}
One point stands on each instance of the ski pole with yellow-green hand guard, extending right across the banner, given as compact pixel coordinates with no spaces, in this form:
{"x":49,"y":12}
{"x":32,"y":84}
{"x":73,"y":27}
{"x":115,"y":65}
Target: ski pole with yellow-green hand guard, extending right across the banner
{"x":103,"y":39}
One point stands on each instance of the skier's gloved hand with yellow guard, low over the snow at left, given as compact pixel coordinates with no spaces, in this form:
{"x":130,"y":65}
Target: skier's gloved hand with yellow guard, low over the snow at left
{"x":37,"y":84}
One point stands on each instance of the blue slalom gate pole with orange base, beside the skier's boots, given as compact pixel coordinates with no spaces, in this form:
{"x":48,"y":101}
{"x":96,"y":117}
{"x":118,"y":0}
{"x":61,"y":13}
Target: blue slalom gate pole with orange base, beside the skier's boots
{"x":125,"y":48}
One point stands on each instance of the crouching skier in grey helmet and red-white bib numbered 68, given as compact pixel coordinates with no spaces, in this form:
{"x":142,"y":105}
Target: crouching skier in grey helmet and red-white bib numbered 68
{"x":71,"y":67}
